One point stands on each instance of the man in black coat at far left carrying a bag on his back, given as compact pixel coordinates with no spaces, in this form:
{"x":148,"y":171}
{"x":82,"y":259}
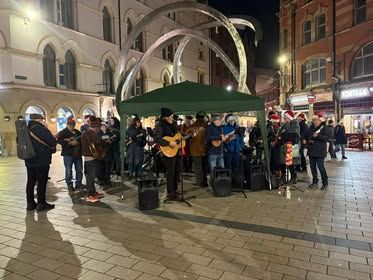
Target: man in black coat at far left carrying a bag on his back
{"x":38,"y":167}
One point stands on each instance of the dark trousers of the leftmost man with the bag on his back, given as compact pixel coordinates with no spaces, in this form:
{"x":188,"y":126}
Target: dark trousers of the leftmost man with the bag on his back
{"x":37,"y":175}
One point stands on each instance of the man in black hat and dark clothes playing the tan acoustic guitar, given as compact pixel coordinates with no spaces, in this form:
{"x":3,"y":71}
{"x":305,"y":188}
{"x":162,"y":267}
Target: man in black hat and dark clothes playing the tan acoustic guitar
{"x":167,"y":127}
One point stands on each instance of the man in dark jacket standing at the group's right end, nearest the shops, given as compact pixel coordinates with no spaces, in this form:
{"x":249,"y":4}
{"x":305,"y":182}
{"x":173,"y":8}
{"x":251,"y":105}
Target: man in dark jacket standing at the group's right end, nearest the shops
{"x":317,"y":139}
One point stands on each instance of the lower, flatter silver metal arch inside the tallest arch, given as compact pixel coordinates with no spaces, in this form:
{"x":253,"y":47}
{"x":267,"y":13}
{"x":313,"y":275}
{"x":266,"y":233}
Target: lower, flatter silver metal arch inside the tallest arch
{"x":128,"y":79}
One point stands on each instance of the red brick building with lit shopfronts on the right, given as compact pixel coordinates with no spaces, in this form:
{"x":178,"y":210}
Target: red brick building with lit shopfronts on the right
{"x":326,"y":51}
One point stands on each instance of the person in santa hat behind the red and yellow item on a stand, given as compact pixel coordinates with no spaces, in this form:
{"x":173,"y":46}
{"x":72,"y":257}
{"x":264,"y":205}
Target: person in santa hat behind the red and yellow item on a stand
{"x":289,"y":133}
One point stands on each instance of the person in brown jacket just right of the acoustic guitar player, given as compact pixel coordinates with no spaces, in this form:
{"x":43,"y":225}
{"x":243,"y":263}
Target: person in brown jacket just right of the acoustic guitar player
{"x":198,"y":149}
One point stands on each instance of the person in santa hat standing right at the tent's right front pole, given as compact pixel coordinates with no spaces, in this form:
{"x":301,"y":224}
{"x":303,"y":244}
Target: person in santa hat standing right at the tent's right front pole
{"x":273,"y":127}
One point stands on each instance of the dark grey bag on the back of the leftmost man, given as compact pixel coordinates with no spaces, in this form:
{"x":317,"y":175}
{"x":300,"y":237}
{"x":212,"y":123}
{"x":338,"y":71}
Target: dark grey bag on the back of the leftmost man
{"x":25,"y":149}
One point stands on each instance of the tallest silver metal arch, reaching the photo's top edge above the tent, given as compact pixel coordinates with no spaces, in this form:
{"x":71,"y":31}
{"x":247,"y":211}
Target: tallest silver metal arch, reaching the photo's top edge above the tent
{"x":185,"y":6}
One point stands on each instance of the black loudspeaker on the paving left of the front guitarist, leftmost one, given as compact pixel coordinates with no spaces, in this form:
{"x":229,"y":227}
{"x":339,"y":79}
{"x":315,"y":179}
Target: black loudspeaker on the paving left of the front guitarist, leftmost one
{"x":148,"y":193}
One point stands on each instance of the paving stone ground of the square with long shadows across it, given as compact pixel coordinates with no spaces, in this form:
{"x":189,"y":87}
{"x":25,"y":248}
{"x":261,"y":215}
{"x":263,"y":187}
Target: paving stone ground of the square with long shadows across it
{"x":312,"y":235}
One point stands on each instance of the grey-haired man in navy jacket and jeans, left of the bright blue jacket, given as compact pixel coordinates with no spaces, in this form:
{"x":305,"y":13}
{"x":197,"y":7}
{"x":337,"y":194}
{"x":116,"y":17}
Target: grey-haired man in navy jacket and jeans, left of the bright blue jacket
{"x":214,"y":133}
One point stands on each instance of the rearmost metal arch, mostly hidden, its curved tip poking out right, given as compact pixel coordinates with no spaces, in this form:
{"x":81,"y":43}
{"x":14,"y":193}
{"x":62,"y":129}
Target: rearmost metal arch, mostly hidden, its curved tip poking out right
{"x":238,"y":20}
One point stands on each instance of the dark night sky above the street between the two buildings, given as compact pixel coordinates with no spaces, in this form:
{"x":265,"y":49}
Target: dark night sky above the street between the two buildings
{"x":265,"y":11}
